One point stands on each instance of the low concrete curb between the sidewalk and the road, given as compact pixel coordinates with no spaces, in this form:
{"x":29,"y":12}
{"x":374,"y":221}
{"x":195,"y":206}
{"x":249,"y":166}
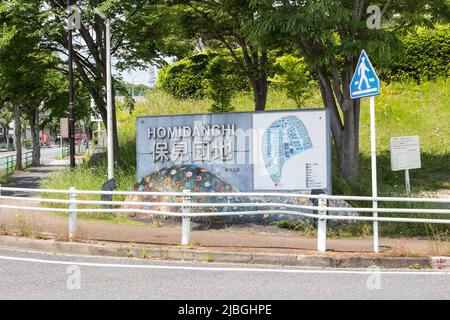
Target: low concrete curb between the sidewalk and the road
{"x":204,"y":255}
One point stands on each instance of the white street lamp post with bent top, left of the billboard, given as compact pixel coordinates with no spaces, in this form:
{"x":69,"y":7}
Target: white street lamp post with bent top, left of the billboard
{"x":109,"y":115}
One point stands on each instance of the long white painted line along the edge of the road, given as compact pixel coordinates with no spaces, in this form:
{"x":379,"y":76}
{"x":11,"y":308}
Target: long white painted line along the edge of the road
{"x":221,"y":269}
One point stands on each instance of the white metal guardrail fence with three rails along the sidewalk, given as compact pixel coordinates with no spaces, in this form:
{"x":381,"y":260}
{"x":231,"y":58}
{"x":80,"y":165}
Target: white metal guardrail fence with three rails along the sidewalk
{"x":183,"y":201}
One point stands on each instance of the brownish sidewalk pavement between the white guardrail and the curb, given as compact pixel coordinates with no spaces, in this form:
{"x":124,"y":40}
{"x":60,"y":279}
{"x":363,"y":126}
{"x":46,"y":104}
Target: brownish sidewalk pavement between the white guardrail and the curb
{"x":267,"y":239}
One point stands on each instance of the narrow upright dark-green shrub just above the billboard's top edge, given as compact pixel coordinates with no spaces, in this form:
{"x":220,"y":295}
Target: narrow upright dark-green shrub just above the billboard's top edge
{"x":220,"y":84}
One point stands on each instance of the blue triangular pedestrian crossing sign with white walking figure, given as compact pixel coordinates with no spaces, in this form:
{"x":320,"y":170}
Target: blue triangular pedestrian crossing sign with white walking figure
{"x":365,"y":82}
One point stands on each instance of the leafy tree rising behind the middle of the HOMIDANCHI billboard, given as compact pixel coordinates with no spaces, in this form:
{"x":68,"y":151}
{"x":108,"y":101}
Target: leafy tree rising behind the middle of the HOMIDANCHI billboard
{"x":225,"y":26}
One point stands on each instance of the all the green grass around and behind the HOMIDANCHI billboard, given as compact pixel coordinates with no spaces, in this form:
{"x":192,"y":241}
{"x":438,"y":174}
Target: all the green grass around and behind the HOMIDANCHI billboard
{"x":402,"y":109}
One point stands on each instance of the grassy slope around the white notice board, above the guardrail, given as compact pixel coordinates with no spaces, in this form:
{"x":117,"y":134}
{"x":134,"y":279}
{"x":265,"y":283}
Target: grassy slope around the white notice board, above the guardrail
{"x":409,"y":109}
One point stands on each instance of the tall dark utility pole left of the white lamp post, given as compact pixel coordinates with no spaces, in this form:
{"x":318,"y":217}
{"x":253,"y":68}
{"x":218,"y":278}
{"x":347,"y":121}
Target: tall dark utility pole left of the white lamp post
{"x":71,"y":90}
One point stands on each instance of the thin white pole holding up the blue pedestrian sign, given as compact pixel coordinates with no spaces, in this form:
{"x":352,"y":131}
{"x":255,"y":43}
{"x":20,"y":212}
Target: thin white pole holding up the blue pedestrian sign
{"x":373,"y":143}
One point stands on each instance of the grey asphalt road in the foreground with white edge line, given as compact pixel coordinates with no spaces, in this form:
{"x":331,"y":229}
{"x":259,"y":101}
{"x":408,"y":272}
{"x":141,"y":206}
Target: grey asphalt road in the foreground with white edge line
{"x":28,"y":275}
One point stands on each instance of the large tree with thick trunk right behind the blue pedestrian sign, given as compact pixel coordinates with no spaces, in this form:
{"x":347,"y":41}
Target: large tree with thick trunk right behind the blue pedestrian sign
{"x":330,"y":35}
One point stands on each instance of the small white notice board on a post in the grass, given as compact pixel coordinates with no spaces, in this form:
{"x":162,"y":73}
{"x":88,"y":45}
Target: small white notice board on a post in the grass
{"x":405,"y":153}
